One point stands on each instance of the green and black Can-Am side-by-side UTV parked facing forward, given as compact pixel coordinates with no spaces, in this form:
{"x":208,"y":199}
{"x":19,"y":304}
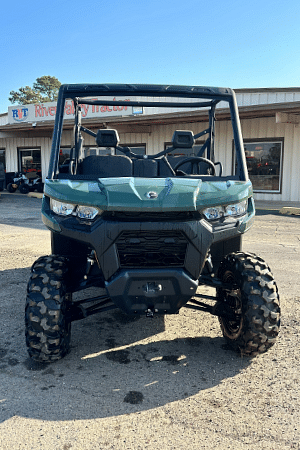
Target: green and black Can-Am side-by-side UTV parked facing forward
{"x":150,"y":229}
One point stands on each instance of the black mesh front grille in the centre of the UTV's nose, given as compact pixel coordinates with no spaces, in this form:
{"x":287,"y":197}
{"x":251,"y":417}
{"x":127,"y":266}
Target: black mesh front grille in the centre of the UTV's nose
{"x":137,"y":249}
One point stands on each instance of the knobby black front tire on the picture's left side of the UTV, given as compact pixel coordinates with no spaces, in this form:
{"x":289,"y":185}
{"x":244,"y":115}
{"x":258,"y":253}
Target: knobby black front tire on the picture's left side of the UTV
{"x":47,"y":327}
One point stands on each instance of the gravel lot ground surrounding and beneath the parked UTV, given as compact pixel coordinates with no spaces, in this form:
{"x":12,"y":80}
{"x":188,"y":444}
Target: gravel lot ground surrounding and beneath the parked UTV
{"x":162,"y":383}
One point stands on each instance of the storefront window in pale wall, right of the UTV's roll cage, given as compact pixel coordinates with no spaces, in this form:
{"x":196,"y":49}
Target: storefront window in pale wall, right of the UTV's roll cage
{"x":264,"y":162}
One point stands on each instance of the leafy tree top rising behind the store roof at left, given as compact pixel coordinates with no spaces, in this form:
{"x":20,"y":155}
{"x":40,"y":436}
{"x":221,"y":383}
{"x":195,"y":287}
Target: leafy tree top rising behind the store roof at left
{"x":45,"y":89}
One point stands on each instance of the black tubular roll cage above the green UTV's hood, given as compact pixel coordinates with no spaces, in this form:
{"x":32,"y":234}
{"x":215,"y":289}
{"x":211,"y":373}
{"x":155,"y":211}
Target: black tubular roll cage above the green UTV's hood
{"x":191,"y":97}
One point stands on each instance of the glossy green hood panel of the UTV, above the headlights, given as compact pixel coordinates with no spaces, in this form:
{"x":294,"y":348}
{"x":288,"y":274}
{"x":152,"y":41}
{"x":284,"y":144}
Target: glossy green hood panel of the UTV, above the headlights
{"x":132,"y":194}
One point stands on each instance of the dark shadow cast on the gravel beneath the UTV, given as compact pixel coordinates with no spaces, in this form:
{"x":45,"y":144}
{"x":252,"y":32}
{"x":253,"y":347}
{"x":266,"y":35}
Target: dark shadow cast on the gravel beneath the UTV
{"x":117,"y":364}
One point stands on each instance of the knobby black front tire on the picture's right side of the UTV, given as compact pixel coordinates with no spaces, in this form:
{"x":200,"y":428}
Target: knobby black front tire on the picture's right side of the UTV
{"x":254,"y":300}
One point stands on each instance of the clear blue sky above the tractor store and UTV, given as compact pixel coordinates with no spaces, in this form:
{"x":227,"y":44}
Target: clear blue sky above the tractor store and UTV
{"x":224,"y":43}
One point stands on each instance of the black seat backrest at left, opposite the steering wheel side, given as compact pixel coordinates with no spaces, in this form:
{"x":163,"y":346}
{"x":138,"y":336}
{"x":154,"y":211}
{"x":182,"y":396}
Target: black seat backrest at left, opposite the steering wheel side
{"x":105,"y":166}
